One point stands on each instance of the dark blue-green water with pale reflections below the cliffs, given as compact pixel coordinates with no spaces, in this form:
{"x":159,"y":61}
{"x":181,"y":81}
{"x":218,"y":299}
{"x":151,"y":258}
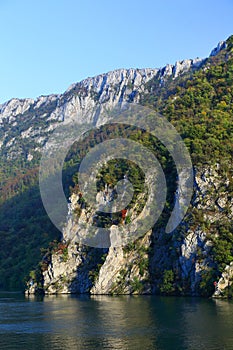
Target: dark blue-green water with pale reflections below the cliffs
{"x":124,"y":323}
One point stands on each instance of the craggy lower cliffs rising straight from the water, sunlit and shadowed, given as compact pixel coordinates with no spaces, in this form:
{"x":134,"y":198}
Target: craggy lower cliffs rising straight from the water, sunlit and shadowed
{"x":140,"y":267}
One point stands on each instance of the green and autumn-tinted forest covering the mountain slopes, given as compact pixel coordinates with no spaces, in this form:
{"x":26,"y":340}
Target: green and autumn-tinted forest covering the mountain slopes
{"x":199,"y":103}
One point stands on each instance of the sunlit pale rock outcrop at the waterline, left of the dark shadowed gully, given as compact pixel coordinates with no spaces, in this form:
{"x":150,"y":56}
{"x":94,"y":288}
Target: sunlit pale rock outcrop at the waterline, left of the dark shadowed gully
{"x":74,"y":268}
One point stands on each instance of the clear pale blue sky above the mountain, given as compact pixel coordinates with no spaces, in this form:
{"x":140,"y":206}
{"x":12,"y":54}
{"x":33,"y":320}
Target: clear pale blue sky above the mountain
{"x":47,"y":45}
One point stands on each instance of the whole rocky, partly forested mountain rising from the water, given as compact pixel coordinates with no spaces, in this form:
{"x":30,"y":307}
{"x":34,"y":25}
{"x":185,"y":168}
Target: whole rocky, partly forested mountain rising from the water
{"x":196,"y":97}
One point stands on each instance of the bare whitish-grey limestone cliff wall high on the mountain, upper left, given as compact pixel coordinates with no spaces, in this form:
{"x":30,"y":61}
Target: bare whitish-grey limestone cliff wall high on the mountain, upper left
{"x":33,"y":120}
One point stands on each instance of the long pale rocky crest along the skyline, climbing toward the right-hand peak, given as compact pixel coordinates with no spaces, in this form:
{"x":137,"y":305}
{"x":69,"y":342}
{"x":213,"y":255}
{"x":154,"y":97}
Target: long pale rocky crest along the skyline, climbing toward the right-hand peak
{"x":112,"y":87}
